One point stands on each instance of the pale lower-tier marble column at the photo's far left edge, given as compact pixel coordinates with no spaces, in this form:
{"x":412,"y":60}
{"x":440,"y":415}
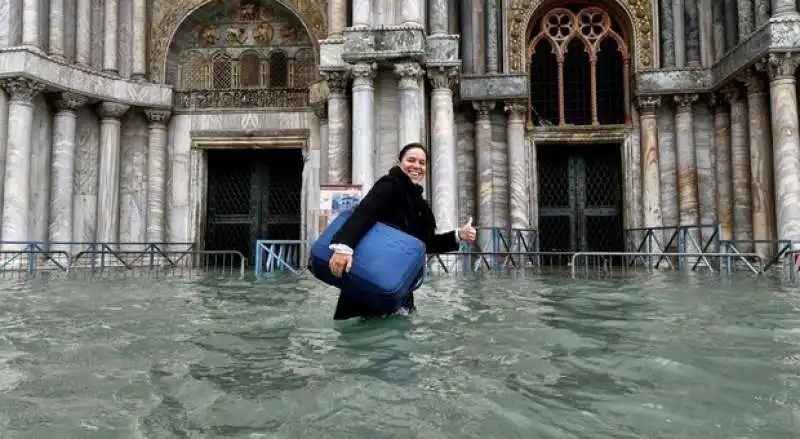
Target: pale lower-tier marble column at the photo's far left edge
{"x":17,"y":186}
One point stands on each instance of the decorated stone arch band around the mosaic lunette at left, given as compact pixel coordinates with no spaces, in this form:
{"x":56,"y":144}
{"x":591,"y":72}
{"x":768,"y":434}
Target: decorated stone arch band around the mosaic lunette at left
{"x":310,"y":13}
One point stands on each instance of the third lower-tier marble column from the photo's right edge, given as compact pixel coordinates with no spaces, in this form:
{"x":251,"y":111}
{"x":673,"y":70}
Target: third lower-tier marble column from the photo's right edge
{"x":740,"y":168}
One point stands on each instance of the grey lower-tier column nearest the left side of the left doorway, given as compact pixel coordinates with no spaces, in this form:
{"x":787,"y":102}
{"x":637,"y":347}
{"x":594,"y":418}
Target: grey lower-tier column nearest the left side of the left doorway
{"x":157,"y":175}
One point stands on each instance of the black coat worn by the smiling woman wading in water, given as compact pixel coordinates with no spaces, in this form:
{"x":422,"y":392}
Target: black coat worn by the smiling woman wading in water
{"x":396,"y":201}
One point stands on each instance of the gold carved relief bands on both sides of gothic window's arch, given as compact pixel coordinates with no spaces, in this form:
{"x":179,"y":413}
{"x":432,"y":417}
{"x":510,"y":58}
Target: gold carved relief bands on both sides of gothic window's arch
{"x":520,"y":13}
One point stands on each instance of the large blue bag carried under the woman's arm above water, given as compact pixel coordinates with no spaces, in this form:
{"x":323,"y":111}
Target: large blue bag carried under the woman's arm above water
{"x":388,"y":264}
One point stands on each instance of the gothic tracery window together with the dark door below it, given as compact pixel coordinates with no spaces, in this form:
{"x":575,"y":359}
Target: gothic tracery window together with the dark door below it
{"x":579,"y":65}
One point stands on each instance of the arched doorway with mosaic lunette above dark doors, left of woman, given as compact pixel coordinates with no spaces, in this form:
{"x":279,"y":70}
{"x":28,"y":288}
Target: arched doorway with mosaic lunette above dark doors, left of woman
{"x":251,"y":57}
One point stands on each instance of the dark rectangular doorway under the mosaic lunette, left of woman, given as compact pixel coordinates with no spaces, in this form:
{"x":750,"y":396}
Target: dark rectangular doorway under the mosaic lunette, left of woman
{"x":252,"y":195}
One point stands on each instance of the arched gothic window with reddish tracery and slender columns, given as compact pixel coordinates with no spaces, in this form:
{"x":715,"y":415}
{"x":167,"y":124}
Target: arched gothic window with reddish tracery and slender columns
{"x":579,"y":69}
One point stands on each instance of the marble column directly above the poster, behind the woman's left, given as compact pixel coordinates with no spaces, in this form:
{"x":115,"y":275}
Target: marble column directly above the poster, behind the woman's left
{"x":338,"y":128}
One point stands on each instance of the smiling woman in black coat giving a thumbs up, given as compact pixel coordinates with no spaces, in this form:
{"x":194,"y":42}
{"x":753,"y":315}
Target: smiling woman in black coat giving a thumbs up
{"x":396,"y":200}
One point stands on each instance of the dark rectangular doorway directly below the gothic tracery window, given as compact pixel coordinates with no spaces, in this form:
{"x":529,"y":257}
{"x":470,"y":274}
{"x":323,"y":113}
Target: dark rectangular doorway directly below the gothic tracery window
{"x":580,"y":197}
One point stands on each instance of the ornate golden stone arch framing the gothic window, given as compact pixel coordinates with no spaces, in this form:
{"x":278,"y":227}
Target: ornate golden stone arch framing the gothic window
{"x":634,"y":15}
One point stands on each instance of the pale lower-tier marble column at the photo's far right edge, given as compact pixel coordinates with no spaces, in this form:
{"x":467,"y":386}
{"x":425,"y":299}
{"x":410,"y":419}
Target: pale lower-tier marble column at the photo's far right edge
{"x":785,"y":142}
